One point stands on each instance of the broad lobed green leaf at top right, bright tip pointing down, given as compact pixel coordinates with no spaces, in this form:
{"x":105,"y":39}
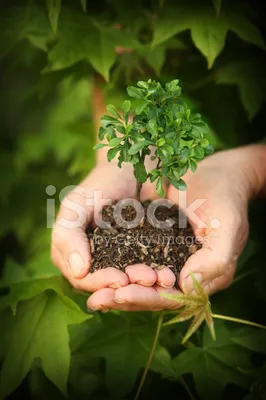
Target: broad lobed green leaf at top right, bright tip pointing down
{"x":208,"y":31}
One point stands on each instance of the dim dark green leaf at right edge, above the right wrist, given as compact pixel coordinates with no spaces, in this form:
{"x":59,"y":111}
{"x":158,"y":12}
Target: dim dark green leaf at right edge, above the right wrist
{"x":250,"y":80}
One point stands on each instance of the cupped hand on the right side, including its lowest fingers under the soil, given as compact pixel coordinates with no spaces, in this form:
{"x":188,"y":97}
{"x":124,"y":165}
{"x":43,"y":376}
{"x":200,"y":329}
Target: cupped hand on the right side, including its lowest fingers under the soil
{"x":222,"y":188}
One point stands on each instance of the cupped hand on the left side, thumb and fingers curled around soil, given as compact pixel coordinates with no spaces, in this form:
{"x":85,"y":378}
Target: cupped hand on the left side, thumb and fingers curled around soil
{"x":70,"y":246}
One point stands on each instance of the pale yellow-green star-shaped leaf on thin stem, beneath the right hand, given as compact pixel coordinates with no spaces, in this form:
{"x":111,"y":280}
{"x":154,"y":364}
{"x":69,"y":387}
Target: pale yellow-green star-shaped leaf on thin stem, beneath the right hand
{"x":196,"y":305}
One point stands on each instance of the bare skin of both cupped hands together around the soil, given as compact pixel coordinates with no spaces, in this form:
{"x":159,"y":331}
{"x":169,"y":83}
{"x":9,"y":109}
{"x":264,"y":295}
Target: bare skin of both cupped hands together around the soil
{"x":227,"y":180}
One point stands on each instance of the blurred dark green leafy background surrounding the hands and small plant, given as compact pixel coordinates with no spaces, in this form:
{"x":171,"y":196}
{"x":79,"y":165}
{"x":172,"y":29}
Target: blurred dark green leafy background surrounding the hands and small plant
{"x":50,"y":345}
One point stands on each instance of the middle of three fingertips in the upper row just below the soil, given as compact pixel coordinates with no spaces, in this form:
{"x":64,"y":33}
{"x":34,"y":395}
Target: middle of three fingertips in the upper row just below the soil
{"x":142,"y":274}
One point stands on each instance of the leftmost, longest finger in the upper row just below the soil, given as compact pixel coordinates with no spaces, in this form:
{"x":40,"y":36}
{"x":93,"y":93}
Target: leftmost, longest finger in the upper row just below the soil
{"x":104,"y":278}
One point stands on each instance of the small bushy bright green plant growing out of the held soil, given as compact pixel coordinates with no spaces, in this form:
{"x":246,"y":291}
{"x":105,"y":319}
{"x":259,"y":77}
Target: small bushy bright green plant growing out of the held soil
{"x":162,"y":127}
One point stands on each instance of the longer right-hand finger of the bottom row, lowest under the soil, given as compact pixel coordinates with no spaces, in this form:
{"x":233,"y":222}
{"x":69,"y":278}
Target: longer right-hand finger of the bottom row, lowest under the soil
{"x":146,"y":298}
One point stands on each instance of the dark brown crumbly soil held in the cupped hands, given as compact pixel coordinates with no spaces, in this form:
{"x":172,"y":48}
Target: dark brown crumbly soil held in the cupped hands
{"x":159,"y":248}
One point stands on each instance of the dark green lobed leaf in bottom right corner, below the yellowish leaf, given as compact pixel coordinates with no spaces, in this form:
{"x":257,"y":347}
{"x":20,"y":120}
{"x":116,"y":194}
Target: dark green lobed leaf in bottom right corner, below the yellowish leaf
{"x":216,"y":363}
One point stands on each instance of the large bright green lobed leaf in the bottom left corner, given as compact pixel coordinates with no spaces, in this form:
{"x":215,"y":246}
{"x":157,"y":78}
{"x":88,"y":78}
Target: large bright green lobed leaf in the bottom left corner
{"x":40,"y":331}
